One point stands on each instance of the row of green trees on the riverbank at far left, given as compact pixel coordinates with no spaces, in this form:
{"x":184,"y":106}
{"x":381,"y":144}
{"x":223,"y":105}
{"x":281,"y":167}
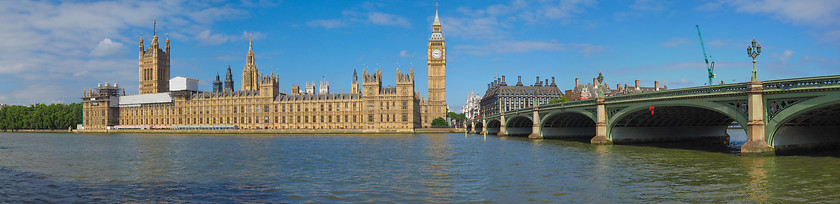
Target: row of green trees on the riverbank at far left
{"x":53,"y":116}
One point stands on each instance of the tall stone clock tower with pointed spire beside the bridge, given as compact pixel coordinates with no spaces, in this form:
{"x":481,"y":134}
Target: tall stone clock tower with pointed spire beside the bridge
{"x":436,"y":58}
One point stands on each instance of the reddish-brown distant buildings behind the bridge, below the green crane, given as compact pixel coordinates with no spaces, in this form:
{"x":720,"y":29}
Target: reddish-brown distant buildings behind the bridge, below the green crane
{"x":594,"y":90}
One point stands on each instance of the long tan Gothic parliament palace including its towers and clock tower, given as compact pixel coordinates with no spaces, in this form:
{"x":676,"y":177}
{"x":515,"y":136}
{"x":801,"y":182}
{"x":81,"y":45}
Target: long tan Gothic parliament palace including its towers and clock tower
{"x":176,"y":103}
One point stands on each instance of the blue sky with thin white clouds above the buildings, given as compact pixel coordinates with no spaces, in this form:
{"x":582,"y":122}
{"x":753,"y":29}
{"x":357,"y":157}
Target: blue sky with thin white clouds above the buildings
{"x":51,"y":50}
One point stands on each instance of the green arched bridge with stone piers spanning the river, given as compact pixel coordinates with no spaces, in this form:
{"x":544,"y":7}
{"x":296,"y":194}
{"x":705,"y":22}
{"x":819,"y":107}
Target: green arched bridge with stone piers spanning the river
{"x":776,"y":115}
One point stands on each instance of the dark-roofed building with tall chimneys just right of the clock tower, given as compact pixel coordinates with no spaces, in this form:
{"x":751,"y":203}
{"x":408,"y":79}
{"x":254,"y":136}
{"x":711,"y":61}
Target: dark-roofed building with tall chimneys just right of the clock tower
{"x":500,"y":97}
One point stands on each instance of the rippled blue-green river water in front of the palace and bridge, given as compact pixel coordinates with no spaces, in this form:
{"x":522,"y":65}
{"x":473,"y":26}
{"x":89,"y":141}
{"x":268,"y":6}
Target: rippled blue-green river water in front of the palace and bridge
{"x":444,"y":168}
